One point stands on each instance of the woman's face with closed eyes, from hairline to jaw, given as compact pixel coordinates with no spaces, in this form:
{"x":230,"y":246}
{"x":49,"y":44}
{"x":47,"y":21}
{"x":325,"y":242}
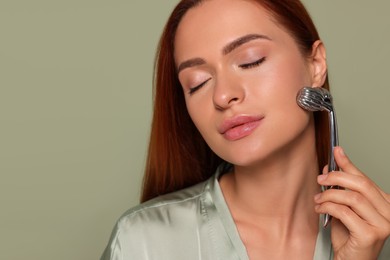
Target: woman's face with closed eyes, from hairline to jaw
{"x":240,"y":72}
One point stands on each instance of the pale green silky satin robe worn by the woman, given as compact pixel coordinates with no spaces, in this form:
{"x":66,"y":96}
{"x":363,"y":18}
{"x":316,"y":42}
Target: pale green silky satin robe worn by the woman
{"x":193,"y":223}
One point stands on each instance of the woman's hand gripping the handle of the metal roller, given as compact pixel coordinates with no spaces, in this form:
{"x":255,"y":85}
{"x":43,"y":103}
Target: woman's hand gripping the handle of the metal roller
{"x":361,"y":211}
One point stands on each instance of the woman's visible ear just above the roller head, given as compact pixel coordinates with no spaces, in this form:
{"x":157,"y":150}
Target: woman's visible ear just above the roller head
{"x":318,"y":65}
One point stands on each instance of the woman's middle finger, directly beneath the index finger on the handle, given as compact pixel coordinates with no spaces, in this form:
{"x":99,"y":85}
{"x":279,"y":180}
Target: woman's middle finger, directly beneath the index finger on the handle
{"x":357,"y":202}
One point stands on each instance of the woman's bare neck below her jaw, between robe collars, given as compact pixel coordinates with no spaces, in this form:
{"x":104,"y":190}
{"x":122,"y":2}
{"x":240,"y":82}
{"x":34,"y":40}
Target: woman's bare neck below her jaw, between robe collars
{"x":276,"y":195}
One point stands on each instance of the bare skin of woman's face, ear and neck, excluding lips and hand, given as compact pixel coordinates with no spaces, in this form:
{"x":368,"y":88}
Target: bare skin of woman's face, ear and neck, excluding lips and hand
{"x":271,"y":202}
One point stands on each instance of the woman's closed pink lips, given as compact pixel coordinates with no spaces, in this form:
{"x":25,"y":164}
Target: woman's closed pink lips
{"x":238,"y":127}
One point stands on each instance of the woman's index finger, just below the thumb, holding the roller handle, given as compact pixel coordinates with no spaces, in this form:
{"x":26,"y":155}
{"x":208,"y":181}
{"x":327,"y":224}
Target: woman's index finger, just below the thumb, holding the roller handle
{"x":361,"y":185}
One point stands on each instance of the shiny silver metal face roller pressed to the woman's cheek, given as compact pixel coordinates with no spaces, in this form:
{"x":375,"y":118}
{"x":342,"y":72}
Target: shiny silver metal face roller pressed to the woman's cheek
{"x":319,"y":99}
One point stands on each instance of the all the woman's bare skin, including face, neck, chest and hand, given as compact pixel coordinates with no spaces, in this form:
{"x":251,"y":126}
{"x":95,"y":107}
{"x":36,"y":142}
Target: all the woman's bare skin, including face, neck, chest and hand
{"x":235,"y":63}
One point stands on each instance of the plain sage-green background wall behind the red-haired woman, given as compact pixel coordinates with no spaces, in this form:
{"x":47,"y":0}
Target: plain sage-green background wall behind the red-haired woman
{"x":76,"y":102}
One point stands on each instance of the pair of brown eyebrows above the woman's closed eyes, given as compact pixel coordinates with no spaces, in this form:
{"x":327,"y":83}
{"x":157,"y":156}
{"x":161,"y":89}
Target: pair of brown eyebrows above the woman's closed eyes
{"x":226,"y":50}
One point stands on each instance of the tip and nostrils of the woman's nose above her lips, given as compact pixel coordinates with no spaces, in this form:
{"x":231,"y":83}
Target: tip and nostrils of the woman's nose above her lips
{"x":227,"y":93}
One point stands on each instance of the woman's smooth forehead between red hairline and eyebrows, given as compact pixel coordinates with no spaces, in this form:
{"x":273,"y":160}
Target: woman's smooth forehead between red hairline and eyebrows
{"x":213,"y":23}
